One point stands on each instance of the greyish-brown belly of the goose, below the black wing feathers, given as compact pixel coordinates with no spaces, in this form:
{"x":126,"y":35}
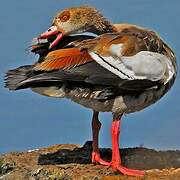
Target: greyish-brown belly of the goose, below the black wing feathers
{"x":119,"y":105}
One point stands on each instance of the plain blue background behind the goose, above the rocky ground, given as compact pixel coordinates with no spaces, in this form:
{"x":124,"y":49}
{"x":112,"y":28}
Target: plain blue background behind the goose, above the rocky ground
{"x":28,"y":120}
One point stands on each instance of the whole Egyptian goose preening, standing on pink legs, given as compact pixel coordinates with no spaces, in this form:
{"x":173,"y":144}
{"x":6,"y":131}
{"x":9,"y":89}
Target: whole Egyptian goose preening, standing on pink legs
{"x":116,"y":68}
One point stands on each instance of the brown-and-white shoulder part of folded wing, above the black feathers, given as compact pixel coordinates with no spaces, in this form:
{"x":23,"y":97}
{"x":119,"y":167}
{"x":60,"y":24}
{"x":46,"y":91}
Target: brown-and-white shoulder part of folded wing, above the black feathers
{"x":133,"y":55}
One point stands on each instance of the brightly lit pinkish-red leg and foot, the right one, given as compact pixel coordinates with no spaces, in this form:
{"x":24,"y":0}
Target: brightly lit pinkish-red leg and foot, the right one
{"x":116,"y":159}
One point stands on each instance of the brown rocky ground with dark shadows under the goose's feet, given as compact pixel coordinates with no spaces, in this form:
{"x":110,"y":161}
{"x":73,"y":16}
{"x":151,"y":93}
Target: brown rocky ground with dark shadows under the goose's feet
{"x":68,"y":162}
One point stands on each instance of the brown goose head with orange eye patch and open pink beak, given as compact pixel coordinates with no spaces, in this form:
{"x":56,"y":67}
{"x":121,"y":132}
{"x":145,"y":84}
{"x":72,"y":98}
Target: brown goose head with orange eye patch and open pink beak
{"x":77,"y":20}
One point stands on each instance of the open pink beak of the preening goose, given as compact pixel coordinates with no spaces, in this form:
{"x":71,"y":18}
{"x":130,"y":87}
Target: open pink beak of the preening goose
{"x":52,"y":31}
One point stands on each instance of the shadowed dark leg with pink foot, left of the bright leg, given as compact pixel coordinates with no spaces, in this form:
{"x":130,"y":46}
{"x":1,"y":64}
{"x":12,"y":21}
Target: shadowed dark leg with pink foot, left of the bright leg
{"x":96,"y":125}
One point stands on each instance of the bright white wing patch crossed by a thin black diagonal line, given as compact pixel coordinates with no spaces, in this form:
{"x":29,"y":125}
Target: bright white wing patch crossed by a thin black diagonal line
{"x":143,"y":65}
